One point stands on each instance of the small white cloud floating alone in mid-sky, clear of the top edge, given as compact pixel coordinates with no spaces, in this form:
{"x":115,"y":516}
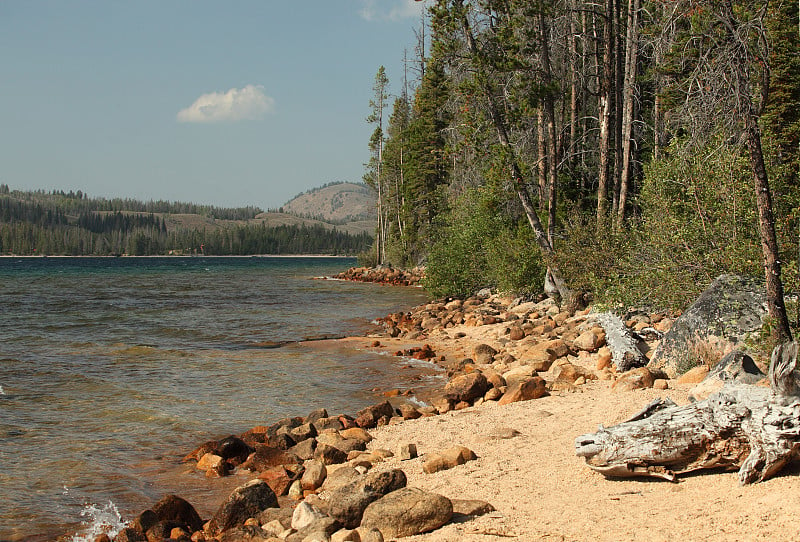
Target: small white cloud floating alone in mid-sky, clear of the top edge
{"x":248,"y":103}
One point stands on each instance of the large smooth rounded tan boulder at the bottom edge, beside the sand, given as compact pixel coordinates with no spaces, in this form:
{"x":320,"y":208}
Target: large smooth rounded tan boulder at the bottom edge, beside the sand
{"x":406,"y":512}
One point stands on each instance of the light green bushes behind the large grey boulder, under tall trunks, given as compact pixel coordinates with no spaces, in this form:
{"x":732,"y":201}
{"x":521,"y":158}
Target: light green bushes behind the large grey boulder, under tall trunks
{"x":698,"y":221}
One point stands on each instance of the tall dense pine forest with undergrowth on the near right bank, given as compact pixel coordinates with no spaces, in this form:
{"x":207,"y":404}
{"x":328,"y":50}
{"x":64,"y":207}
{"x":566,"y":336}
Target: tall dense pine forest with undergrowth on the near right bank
{"x":633,"y":149}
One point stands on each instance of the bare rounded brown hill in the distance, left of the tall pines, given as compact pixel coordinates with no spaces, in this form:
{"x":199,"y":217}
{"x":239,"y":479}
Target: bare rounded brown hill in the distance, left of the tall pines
{"x":336,"y":203}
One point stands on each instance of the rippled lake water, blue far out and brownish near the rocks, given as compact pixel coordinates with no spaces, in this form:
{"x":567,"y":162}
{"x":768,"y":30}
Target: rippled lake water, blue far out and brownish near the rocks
{"x":112,"y":369}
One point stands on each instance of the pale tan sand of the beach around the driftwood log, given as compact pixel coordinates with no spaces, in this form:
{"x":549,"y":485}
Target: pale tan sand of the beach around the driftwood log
{"x":542,"y":491}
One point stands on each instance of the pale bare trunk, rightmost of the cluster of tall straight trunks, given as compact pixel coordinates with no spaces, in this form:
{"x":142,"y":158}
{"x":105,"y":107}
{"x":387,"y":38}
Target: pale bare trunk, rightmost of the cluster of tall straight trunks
{"x":631,"y":52}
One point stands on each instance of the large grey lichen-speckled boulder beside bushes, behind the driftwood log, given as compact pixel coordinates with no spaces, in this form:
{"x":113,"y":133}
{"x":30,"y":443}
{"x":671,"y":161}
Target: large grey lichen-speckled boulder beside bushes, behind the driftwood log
{"x":730,"y":310}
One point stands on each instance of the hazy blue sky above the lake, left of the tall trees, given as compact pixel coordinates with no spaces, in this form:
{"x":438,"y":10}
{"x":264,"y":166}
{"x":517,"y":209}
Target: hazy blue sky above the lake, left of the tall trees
{"x":228,"y":103}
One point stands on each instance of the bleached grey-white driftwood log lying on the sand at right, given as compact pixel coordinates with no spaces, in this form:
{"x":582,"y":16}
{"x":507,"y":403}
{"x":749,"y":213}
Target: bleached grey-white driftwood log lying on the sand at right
{"x":755,"y":429}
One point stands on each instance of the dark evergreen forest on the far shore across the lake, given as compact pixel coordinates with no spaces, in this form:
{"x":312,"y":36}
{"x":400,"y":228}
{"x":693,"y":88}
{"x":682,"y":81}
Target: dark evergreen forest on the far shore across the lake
{"x":58,"y":223}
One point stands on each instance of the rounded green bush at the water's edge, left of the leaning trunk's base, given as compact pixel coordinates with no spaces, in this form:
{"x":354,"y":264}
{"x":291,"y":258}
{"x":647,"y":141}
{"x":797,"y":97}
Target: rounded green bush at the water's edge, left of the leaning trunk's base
{"x":479,"y":246}
